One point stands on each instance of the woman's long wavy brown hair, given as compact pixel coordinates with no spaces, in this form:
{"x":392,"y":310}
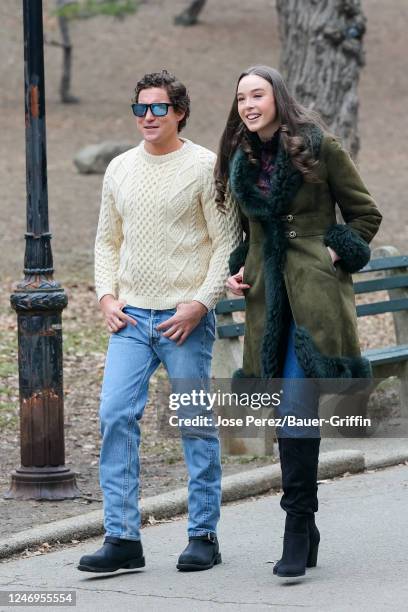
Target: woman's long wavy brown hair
{"x":292,"y":118}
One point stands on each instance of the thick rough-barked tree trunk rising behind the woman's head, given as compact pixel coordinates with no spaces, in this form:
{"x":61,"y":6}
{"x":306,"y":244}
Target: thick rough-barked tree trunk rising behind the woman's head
{"x":322,"y":54}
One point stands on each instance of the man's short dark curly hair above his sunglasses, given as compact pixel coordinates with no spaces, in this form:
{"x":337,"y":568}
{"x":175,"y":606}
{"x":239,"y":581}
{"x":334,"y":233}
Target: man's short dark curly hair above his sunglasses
{"x":176,"y":91}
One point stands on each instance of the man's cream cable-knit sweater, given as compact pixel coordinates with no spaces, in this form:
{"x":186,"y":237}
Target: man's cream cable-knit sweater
{"x":160,"y":238}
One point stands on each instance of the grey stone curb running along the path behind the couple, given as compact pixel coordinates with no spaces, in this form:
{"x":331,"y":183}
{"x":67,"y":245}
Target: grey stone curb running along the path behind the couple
{"x":168,"y":505}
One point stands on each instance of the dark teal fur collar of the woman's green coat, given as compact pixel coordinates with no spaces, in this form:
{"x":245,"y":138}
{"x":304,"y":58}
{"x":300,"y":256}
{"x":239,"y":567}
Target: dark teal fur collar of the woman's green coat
{"x":285,"y":183}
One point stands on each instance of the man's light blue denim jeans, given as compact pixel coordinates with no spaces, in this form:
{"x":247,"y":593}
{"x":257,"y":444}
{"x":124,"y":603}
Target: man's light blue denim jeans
{"x":134,"y":353}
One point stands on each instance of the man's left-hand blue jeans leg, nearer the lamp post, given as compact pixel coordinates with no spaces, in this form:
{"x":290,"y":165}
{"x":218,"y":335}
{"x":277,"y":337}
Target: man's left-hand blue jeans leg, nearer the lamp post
{"x":129,"y":364}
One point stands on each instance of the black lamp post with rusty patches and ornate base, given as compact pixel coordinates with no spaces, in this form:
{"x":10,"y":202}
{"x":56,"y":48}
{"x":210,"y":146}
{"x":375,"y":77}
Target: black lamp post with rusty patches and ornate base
{"x":39,"y":301}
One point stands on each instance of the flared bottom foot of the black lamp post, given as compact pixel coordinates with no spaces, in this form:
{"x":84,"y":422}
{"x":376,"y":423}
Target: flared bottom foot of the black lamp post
{"x":52,"y":483}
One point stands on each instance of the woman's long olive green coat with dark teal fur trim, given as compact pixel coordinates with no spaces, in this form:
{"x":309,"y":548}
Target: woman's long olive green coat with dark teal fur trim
{"x":289,"y":267}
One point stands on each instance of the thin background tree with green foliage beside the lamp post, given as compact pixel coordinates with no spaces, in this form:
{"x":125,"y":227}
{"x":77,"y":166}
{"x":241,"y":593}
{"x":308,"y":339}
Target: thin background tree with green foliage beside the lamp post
{"x":68,"y":10}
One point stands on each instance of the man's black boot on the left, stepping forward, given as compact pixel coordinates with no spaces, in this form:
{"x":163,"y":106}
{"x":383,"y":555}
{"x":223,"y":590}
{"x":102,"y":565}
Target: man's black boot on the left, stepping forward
{"x":115,"y":554}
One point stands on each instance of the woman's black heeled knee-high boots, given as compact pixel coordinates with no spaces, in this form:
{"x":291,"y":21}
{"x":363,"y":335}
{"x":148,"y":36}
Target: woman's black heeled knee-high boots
{"x":299,"y":461}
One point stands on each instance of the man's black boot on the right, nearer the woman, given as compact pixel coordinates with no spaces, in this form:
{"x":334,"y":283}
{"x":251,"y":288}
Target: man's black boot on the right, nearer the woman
{"x":202,"y":553}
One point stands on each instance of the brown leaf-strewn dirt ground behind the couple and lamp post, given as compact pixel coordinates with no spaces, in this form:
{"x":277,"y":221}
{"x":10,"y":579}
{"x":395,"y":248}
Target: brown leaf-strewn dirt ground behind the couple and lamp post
{"x":109,"y":56}
